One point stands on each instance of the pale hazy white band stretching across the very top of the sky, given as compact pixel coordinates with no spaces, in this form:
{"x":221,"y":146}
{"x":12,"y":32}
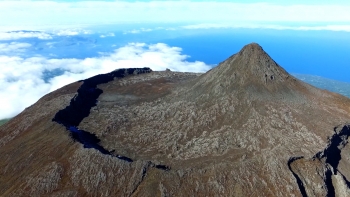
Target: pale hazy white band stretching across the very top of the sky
{"x":53,"y":13}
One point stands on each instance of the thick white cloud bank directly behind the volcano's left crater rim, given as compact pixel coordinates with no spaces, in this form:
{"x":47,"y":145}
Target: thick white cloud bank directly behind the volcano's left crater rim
{"x":22,"y":79}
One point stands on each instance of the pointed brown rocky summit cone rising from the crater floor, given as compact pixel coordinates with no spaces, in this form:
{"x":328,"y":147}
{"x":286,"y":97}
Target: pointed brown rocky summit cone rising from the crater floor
{"x":251,"y":72}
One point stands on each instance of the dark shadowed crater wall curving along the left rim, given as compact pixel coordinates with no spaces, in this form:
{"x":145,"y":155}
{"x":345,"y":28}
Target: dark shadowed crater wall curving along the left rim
{"x":81,"y":104}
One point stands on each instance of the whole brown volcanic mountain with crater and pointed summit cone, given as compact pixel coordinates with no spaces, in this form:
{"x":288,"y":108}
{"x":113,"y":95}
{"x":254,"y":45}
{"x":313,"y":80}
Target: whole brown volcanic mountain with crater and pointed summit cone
{"x":244,"y":128}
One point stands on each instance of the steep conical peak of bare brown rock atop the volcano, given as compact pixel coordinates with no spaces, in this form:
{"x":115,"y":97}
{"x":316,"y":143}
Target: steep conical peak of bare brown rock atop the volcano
{"x":250,"y":70}
